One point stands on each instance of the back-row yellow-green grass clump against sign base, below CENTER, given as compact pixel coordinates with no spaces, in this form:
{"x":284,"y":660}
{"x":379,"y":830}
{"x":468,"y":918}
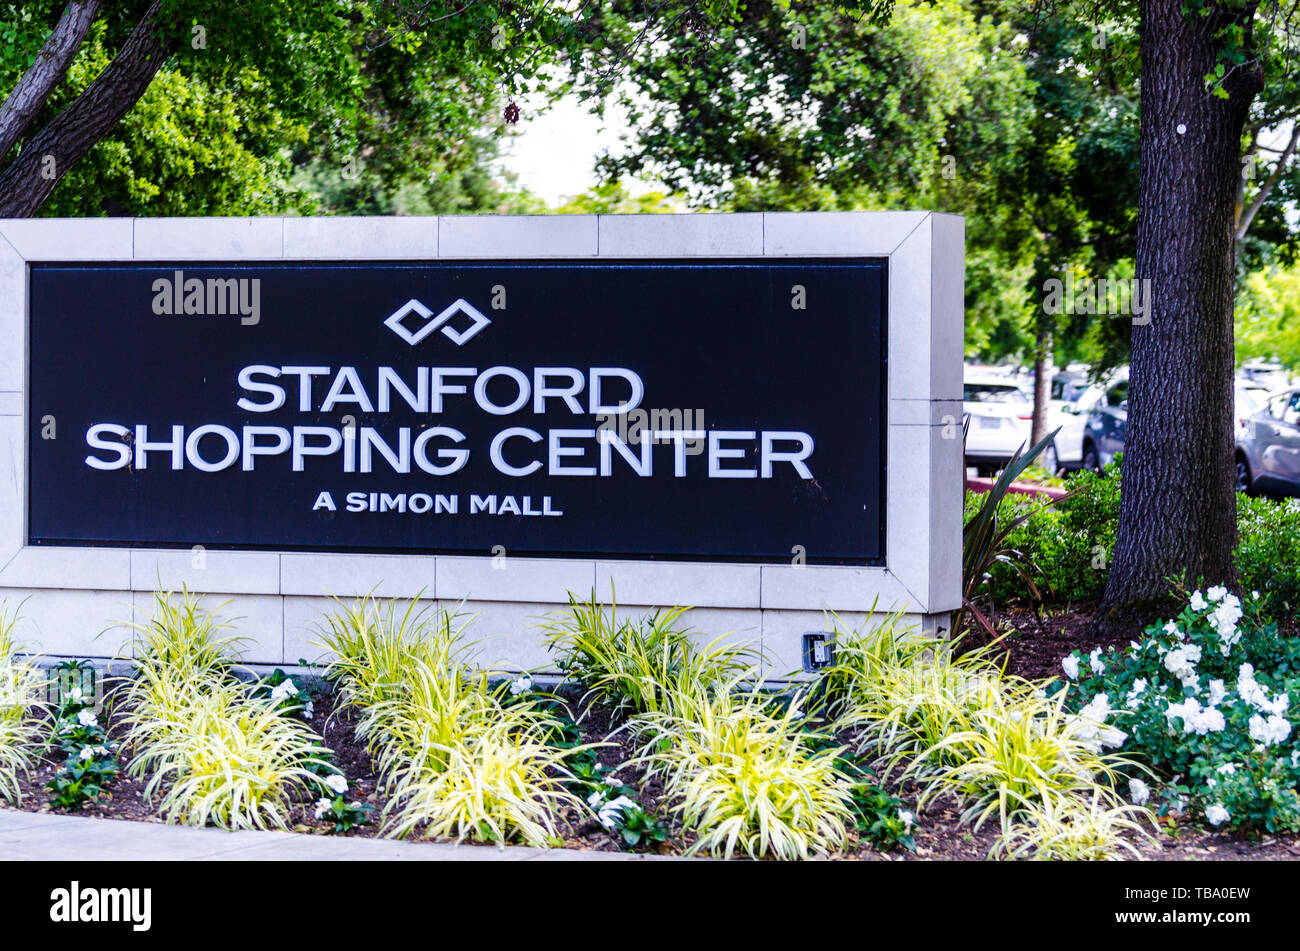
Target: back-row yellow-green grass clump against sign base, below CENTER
{"x":639,"y":665}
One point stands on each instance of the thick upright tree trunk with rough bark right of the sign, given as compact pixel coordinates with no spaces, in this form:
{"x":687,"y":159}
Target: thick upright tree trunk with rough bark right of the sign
{"x":1178,"y":507}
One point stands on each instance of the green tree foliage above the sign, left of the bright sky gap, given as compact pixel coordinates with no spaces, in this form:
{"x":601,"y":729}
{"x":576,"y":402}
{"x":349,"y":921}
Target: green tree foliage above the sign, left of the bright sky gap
{"x":346,"y":110}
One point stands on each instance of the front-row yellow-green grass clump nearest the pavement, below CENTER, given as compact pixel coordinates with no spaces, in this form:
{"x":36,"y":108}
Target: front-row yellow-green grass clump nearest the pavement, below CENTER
{"x":744,"y":779}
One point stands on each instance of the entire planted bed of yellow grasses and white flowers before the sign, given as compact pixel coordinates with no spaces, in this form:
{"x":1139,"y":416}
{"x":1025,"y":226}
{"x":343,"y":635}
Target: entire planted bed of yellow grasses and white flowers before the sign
{"x":651,"y":727}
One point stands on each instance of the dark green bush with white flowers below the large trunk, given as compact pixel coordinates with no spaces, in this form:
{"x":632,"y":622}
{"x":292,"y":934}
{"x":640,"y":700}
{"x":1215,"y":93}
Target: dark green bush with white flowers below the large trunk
{"x":1206,"y":704}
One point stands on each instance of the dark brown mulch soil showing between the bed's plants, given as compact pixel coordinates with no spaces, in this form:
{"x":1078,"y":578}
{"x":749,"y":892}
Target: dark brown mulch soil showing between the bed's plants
{"x":1033,"y":649}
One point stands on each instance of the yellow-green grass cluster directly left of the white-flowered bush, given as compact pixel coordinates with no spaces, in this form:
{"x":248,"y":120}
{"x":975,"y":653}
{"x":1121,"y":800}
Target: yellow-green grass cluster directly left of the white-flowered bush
{"x":957,"y":726}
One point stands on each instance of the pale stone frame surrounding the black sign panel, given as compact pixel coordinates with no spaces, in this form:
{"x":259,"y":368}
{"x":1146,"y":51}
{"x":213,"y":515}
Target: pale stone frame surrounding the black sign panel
{"x":925,"y":358}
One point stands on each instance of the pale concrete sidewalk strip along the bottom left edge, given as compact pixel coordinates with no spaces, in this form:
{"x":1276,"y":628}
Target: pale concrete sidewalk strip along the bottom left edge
{"x":32,"y":836}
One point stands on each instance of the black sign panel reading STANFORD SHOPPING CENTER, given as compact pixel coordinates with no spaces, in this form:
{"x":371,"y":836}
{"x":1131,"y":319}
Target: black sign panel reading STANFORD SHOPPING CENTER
{"x":721,"y":410}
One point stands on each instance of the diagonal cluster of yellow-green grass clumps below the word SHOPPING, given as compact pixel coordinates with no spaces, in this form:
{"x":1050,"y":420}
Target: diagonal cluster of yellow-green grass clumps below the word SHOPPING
{"x":456,"y":758}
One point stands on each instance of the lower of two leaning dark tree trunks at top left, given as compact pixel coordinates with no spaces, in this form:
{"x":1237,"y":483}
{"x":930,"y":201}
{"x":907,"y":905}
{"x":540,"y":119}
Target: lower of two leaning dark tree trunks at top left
{"x":47,"y":157}
